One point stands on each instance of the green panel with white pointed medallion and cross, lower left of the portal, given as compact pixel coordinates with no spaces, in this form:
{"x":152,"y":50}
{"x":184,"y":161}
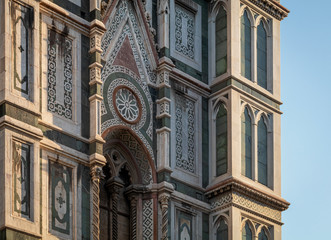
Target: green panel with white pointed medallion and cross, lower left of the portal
{"x":60,"y":197}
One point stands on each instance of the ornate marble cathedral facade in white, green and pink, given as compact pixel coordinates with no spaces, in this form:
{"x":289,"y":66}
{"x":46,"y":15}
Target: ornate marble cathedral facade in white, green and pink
{"x":140,"y":119}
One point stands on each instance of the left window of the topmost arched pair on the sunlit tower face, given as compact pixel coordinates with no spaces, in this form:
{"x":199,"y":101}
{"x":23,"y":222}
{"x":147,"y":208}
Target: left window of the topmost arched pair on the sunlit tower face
{"x":246,"y":48}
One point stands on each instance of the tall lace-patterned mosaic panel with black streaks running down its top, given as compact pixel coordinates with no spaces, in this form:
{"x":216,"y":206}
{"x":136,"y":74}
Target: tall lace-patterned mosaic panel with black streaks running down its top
{"x":59,"y":75}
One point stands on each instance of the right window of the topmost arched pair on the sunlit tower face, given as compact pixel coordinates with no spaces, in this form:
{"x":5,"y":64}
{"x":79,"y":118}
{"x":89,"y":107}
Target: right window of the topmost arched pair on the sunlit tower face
{"x":261,"y":56}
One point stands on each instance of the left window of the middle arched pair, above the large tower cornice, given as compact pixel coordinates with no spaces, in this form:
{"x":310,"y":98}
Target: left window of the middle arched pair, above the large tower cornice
{"x":246,"y":144}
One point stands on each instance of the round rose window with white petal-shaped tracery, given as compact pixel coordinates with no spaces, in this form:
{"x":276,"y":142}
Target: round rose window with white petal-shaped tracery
{"x":127,"y":104}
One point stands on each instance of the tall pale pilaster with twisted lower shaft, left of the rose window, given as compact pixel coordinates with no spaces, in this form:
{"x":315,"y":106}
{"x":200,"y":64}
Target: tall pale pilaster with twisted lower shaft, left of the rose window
{"x":97,"y":160}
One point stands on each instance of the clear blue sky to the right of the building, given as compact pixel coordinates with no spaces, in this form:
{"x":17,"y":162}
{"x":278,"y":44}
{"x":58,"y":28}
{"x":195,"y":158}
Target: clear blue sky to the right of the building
{"x":306,"y":132}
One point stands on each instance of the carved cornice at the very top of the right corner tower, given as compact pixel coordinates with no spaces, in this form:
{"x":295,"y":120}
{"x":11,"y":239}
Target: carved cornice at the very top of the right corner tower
{"x":271,"y":7}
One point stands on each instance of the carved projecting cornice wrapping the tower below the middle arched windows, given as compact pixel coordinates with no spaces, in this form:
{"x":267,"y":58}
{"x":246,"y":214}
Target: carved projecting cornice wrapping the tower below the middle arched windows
{"x":234,"y":185}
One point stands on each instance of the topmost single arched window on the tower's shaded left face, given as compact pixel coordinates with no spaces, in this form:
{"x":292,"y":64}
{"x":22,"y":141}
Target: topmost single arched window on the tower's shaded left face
{"x":221,"y":42}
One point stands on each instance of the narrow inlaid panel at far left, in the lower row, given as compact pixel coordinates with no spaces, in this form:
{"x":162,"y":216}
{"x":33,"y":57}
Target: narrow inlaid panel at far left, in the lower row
{"x":21,"y":179}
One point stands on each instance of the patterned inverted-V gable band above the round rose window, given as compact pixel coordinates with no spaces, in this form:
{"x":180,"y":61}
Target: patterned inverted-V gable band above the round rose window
{"x":128,"y":20}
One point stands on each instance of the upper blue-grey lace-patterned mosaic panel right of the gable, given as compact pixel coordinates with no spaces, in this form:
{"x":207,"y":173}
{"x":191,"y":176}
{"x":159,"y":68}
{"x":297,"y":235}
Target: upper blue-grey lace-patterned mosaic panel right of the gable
{"x":184,"y":31}
